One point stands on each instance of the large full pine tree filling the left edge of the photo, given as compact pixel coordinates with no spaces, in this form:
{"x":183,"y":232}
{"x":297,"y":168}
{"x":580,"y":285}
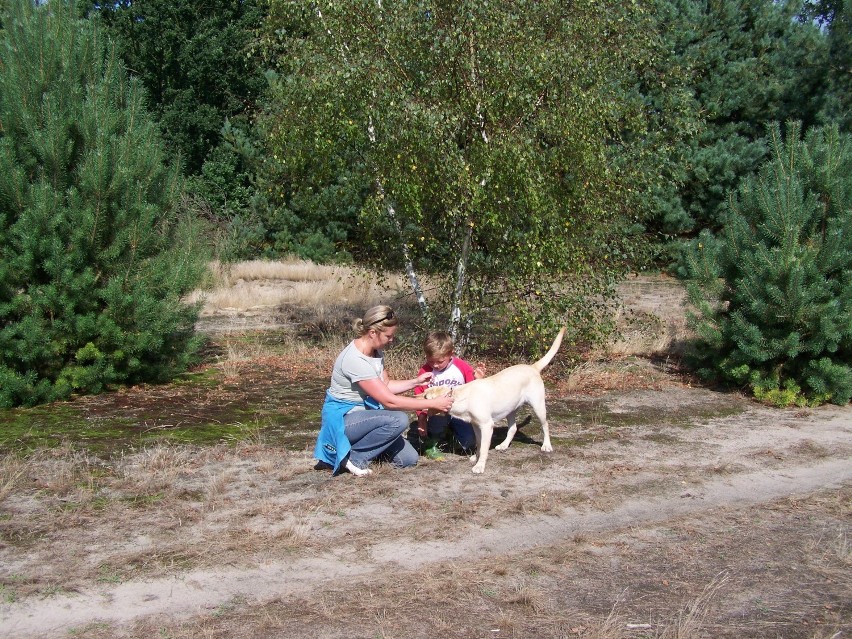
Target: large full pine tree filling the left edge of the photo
{"x":95,"y":255}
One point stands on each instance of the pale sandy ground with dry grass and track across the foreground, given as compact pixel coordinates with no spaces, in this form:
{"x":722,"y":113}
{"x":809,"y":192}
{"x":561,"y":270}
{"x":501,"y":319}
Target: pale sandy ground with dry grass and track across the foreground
{"x":665,"y":510}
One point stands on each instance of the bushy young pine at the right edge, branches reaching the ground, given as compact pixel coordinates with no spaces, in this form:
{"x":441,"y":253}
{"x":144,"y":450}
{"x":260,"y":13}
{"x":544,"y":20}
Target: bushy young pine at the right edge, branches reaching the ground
{"x":774,"y":290}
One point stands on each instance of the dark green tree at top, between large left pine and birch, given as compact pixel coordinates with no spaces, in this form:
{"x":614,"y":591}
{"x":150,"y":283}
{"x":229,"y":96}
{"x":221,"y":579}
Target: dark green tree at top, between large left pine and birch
{"x":193,"y":63}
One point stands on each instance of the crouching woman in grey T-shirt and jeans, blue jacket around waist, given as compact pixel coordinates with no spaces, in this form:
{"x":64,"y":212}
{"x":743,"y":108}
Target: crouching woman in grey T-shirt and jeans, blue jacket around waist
{"x":364,"y":416}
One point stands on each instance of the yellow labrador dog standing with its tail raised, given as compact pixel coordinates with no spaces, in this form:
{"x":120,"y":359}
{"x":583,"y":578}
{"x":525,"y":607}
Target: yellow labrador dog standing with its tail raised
{"x":485,"y":401}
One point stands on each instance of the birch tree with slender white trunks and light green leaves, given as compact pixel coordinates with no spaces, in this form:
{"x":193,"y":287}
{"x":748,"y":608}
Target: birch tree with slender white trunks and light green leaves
{"x":490,"y":145}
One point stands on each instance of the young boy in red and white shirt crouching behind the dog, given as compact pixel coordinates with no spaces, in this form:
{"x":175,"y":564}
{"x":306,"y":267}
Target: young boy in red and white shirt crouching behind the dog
{"x":447,"y":370}
